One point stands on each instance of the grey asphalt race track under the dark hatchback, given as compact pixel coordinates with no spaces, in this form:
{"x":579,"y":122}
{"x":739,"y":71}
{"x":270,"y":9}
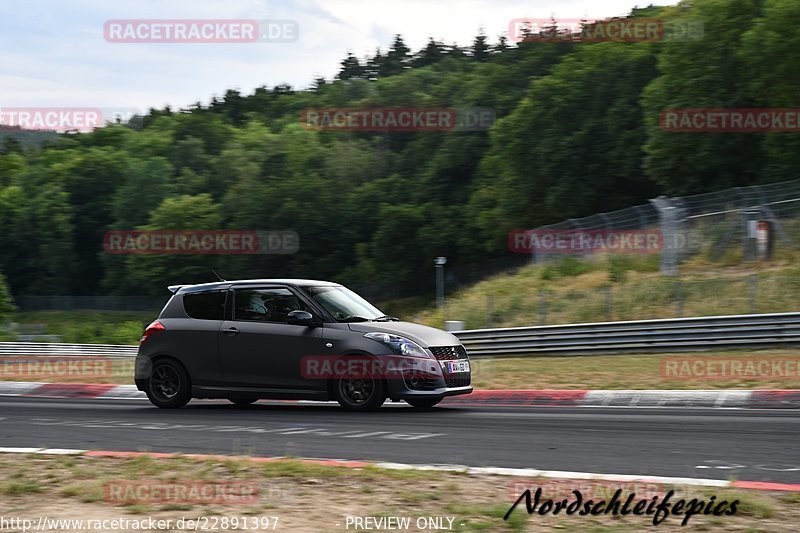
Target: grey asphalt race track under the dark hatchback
{"x":751,"y":445}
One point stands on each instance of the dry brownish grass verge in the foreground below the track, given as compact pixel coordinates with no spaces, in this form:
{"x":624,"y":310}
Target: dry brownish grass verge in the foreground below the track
{"x":309,"y":497}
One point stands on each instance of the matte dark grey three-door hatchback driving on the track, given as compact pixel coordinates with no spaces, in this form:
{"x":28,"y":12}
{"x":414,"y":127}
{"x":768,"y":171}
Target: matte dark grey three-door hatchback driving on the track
{"x":293,"y":339}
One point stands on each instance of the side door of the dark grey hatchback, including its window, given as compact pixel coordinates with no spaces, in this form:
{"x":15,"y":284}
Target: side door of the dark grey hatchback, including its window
{"x":259,"y":349}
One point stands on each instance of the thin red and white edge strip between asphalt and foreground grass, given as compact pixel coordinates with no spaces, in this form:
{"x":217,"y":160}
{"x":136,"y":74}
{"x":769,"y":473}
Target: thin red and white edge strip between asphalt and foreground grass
{"x":469,"y":470}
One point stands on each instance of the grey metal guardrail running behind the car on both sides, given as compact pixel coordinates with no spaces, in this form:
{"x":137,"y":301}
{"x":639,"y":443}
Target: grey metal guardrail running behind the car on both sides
{"x":673,"y":334}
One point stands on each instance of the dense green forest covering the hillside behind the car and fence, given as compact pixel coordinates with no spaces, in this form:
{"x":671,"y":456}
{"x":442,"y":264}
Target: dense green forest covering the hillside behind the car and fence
{"x":577,"y":133}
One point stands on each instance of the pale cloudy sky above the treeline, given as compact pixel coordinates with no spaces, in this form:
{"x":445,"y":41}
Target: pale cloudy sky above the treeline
{"x":54,"y":53}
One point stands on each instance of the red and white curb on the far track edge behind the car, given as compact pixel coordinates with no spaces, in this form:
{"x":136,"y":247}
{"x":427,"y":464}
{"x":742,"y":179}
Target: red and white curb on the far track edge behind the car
{"x":730,"y":399}
